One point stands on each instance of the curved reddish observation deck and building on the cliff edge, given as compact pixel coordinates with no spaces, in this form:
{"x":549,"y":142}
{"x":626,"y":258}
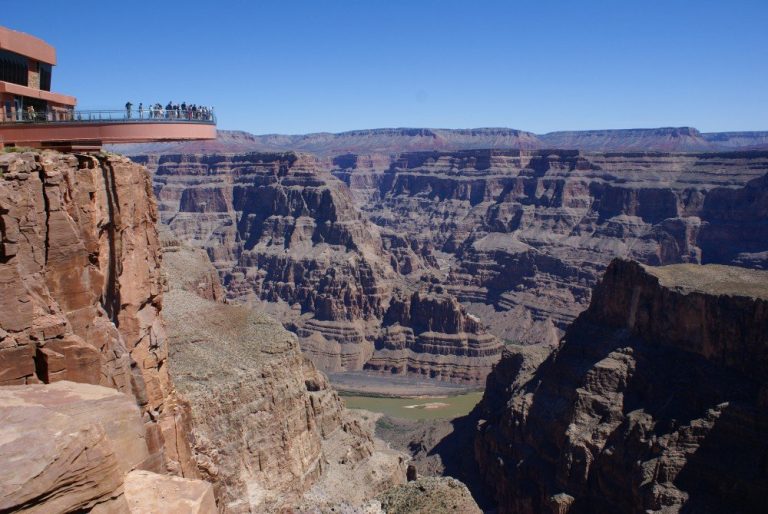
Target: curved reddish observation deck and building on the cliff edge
{"x":32,"y":115}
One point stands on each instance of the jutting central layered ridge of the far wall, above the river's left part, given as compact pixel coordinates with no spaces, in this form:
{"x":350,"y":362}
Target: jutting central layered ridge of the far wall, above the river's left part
{"x":286,"y":235}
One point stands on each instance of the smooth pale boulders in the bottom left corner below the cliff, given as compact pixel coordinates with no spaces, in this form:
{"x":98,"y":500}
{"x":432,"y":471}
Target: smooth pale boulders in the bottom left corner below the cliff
{"x":72,"y":447}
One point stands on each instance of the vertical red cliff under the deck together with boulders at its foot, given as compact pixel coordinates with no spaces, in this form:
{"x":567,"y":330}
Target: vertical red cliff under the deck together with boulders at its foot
{"x":83,"y":351}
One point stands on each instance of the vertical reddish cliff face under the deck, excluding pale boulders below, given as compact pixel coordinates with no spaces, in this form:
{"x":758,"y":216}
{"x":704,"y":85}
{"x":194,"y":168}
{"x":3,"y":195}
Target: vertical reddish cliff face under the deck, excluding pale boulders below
{"x":80,"y":288}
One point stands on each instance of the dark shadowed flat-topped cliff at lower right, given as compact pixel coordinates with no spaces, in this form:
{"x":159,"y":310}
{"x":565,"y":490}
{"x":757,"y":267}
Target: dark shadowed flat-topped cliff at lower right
{"x":655,"y":401}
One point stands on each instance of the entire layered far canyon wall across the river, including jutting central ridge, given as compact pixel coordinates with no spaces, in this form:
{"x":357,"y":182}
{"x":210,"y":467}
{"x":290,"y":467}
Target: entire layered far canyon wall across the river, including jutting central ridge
{"x":426,"y":262}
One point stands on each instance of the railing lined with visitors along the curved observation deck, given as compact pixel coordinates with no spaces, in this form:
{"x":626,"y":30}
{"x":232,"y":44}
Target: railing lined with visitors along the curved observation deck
{"x":120,"y":116}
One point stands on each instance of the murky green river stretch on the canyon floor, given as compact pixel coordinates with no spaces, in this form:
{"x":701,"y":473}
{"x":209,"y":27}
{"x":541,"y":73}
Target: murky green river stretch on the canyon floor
{"x":445,"y":407}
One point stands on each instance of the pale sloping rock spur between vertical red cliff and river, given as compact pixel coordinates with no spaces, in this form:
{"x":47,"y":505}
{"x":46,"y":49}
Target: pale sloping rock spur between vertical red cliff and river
{"x":283,"y":431}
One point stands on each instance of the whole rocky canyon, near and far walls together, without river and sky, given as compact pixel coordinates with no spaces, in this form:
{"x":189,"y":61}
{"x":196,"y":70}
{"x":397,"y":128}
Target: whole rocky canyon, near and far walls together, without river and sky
{"x":165,"y":325}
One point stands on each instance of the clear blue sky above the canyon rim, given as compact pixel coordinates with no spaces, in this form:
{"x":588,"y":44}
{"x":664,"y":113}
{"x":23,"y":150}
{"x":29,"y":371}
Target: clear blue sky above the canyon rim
{"x":321,"y":65}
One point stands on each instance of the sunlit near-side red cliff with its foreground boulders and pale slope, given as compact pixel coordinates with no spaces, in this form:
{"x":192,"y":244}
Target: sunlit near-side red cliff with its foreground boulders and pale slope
{"x":92,"y":416}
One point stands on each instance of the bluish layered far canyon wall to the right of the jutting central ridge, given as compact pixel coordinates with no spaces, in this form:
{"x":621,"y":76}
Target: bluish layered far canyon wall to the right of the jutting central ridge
{"x":522,"y":236}
